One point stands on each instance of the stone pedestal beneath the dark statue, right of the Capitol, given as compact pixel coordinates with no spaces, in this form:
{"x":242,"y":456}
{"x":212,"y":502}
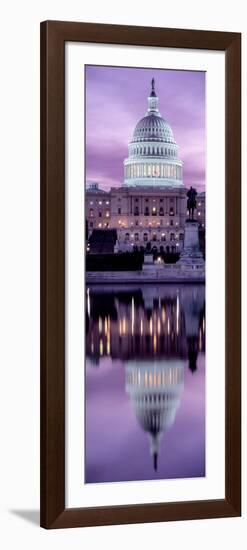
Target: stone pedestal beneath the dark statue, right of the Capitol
{"x":191,"y":254}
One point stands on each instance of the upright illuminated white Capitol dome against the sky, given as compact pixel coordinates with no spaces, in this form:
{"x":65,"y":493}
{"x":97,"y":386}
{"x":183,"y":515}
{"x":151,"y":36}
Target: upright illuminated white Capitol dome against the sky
{"x":153,"y":152}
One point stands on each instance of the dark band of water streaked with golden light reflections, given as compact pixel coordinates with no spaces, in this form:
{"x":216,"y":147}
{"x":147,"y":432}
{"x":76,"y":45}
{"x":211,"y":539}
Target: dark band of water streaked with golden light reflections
{"x":163,"y":327}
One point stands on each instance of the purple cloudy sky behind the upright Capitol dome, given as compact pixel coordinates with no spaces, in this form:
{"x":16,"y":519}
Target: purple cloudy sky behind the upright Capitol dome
{"x":116,"y":98}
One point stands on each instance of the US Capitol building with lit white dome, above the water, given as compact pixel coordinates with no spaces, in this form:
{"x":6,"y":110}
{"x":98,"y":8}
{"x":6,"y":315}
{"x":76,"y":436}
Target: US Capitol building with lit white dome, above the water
{"x":150,"y":205}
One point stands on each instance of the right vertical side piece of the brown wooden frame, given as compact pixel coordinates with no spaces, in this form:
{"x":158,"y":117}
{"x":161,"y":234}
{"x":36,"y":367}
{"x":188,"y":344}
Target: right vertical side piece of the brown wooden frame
{"x":233,"y":273}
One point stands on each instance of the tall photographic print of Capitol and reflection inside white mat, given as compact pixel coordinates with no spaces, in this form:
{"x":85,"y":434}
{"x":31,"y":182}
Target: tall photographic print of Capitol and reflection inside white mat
{"x":145,"y":233}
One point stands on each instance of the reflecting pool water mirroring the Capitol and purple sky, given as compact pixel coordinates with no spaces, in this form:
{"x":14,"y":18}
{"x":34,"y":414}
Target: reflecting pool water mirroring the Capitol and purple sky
{"x":145,"y":382}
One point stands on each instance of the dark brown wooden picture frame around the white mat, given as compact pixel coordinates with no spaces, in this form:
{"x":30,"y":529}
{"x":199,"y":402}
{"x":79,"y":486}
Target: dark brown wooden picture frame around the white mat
{"x":54,"y":35}
